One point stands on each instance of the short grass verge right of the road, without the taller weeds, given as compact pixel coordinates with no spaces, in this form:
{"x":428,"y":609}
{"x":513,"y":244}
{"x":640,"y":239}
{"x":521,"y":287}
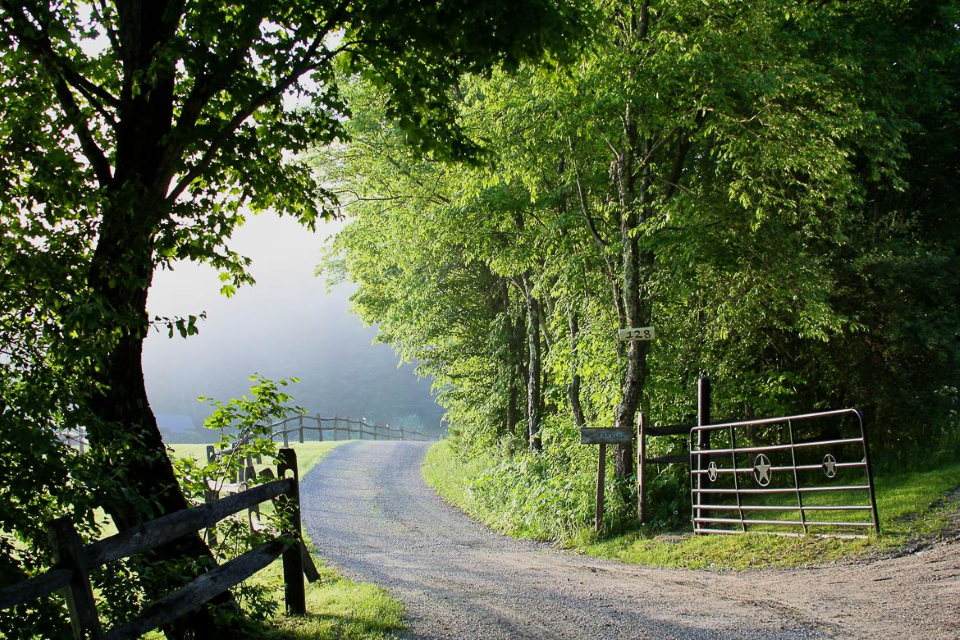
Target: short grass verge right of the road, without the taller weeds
{"x":911,"y":506}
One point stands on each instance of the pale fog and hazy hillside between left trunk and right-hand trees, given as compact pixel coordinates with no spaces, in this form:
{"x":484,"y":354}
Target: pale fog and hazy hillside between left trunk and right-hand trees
{"x":286,"y":325}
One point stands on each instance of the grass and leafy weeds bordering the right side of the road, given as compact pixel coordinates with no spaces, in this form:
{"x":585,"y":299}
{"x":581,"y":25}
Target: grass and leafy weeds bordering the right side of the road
{"x":913,"y":506}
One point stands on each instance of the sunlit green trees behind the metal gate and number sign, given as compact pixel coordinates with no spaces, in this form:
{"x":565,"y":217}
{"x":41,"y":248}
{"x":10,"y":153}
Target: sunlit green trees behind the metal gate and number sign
{"x":771,"y":185}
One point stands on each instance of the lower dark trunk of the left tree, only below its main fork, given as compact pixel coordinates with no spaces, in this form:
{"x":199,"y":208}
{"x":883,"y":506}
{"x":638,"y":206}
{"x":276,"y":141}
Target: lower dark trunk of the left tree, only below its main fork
{"x":124,"y":430}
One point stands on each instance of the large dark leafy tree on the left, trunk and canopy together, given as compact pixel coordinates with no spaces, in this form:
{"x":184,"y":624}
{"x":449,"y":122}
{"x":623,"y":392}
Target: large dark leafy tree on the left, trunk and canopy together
{"x":135,"y":134}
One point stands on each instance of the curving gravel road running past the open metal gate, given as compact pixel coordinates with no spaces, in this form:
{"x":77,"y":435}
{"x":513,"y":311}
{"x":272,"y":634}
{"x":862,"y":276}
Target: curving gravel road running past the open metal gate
{"x":369,"y":512}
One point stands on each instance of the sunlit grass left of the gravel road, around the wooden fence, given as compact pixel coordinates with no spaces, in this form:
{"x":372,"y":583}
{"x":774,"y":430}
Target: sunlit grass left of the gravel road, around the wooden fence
{"x":337,"y":608}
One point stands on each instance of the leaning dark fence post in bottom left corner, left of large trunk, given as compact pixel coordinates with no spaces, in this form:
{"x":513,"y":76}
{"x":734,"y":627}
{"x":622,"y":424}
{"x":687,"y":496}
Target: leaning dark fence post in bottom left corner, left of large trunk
{"x":66,"y":553}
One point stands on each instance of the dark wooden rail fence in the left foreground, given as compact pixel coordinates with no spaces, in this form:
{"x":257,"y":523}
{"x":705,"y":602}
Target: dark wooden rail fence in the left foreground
{"x":73,"y":562}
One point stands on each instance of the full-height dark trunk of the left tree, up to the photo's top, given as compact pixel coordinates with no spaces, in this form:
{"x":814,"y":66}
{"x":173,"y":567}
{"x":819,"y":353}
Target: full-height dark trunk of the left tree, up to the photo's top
{"x":123,"y":428}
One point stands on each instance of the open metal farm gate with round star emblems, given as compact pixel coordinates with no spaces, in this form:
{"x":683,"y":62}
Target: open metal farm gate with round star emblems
{"x":773,"y":475}
